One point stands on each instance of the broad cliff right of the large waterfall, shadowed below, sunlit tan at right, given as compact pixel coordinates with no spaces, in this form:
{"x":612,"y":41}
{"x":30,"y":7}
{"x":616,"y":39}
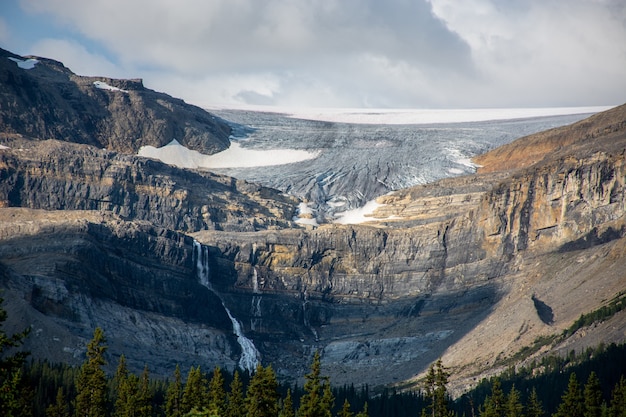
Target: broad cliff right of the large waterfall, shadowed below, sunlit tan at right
{"x":455,"y":251}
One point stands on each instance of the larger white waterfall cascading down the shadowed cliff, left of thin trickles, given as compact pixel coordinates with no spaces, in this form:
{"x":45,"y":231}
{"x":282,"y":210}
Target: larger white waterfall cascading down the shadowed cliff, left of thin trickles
{"x":249,"y":354}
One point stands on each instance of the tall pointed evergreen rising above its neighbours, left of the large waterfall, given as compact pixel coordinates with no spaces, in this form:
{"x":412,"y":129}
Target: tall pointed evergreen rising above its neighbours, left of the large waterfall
{"x":91,"y":382}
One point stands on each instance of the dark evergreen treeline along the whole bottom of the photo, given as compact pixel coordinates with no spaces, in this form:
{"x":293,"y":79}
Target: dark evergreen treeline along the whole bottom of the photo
{"x":55,"y":390}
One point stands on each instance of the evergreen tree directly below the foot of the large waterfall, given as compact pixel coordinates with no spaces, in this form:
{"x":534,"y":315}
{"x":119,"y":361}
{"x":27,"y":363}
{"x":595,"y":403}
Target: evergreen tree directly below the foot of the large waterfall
{"x":262,"y":396}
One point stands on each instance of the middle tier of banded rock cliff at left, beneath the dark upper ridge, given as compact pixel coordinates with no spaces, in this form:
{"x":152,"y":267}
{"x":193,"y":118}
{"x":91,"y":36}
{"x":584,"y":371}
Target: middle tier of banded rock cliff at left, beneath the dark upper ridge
{"x":55,"y":175}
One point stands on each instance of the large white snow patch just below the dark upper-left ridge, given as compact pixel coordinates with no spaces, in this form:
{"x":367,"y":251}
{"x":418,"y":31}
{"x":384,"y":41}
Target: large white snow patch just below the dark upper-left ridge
{"x":234,"y":157}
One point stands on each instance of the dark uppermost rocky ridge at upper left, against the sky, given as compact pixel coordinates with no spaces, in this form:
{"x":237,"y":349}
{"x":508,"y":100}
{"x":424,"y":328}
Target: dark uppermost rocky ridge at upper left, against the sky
{"x":48,"y":101}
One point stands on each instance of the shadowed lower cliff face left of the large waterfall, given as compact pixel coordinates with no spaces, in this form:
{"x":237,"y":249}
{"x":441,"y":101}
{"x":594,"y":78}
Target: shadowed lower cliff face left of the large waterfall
{"x":65,"y":272}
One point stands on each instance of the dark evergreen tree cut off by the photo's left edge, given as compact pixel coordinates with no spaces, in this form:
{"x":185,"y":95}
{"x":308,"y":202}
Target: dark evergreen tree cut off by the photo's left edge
{"x":14,"y":394}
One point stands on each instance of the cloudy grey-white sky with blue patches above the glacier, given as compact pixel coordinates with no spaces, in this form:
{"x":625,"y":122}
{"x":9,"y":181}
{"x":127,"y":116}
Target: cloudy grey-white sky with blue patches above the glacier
{"x":393,"y":54}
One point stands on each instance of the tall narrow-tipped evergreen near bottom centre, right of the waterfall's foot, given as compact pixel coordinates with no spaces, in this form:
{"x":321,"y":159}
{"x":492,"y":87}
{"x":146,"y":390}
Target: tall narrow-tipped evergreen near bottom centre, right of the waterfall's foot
{"x":318,"y":399}
